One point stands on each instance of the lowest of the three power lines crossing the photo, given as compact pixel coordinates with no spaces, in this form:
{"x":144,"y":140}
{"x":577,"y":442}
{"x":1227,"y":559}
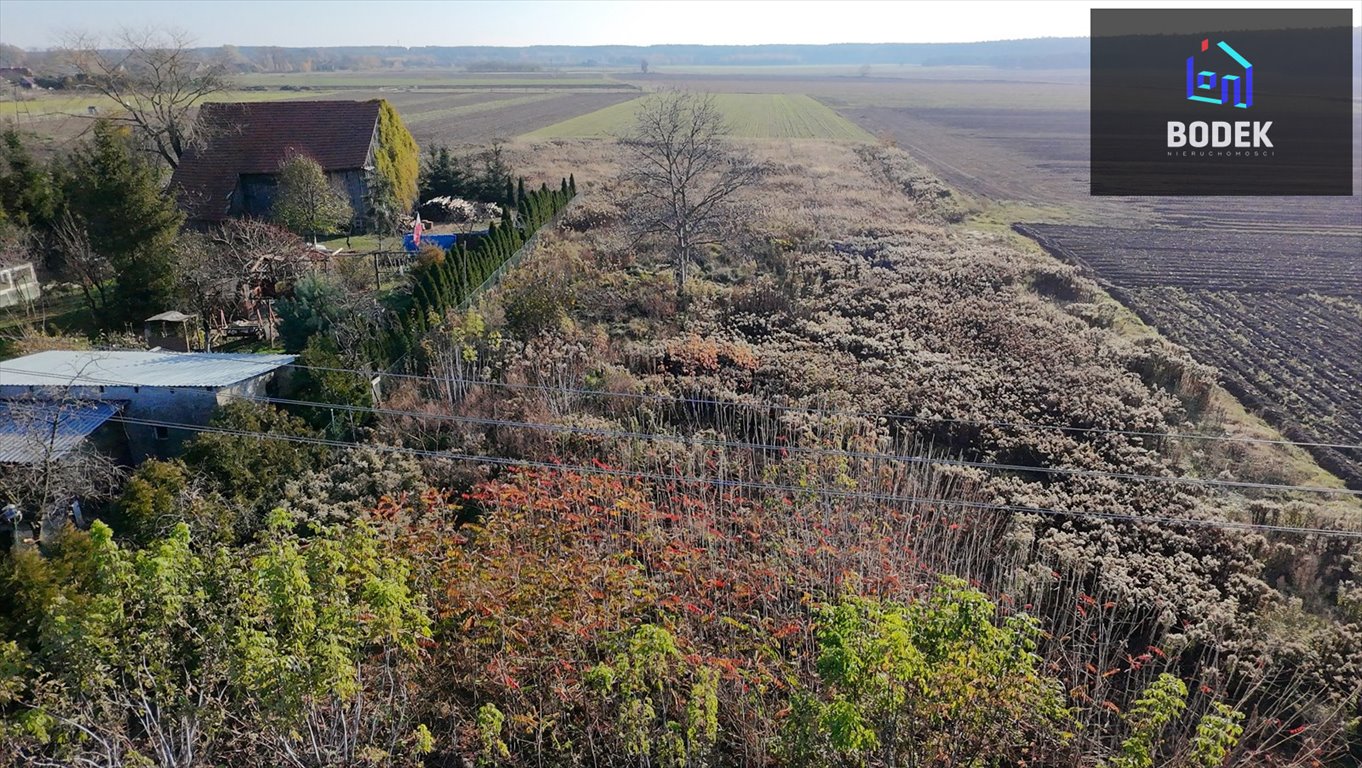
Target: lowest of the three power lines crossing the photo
{"x":825,"y":492}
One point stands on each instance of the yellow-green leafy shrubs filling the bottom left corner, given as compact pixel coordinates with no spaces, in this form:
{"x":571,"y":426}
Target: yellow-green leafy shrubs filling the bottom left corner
{"x":289,"y":652}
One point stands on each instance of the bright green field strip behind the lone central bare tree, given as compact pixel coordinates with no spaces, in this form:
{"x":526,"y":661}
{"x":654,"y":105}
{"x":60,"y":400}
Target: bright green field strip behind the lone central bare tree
{"x":753,"y":116}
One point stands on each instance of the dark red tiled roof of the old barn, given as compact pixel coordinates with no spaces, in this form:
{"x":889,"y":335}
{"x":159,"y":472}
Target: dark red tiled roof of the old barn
{"x":258,"y":137}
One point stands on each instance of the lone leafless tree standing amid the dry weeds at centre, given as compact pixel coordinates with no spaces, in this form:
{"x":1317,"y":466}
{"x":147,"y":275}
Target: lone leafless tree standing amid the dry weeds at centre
{"x":684,"y":174}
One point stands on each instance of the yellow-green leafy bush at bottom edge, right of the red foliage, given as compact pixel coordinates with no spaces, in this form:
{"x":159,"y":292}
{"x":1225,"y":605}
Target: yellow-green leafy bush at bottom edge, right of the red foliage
{"x":901,"y":684}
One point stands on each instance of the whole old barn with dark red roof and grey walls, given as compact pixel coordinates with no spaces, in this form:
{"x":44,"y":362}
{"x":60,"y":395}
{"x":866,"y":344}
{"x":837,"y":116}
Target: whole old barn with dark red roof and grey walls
{"x":232,"y":171}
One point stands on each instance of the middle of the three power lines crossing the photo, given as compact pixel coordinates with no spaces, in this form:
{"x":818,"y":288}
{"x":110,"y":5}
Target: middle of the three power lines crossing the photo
{"x":902,"y":458}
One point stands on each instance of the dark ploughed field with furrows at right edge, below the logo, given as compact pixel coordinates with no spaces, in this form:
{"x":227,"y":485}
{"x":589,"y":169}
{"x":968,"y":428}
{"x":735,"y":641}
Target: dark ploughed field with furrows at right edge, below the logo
{"x":1278,"y":314}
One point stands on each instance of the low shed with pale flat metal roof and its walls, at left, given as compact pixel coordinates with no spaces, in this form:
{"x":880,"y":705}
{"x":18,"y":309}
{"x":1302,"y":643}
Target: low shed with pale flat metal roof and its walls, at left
{"x":155,"y":391}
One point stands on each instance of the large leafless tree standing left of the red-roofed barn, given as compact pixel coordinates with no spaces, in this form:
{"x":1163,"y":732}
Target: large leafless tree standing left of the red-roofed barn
{"x":156,"y":77}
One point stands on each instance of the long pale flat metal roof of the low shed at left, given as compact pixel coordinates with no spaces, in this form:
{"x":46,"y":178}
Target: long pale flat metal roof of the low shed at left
{"x":62,"y":368}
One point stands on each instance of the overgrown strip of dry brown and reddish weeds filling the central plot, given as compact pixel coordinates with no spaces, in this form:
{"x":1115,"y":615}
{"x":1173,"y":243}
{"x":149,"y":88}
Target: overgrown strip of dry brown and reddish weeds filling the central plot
{"x":852,"y":293}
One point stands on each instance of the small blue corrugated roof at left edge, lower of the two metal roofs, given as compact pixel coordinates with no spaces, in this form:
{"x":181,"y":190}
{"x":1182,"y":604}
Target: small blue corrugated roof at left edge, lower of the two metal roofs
{"x":33,"y":432}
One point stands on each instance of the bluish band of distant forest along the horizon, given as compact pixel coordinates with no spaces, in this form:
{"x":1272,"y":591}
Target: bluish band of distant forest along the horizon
{"x":1044,"y":54}
